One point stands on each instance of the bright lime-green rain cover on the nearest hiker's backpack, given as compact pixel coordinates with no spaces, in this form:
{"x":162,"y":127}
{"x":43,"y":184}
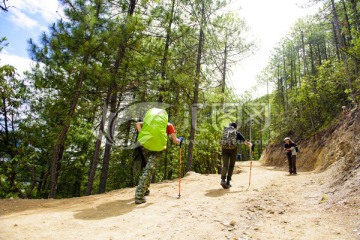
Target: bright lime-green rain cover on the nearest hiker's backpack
{"x":153,"y":131}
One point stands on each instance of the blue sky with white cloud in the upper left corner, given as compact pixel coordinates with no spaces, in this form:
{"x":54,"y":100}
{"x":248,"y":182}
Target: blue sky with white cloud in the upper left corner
{"x":25,"y":19}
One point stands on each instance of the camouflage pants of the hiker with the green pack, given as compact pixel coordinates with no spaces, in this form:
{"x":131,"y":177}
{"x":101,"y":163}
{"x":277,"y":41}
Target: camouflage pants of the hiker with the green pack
{"x":144,"y":181}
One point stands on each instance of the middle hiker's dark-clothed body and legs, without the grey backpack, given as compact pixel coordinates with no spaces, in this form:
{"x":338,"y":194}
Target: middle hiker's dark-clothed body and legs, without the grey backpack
{"x":229,"y":158}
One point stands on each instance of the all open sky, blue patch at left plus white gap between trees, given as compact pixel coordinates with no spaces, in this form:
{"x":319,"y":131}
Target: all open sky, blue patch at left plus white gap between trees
{"x":269,"y":21}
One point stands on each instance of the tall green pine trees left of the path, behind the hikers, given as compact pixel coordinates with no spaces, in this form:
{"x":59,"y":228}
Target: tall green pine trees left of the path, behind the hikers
{"x":101,"y":60}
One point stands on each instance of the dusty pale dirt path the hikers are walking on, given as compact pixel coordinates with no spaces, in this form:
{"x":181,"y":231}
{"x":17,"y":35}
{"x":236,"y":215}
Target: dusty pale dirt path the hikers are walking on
{"x":276,"y":206}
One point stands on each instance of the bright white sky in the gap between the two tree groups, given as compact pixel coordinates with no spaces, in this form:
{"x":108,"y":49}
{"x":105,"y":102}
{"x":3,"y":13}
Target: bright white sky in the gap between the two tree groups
{"x":269,"y":21}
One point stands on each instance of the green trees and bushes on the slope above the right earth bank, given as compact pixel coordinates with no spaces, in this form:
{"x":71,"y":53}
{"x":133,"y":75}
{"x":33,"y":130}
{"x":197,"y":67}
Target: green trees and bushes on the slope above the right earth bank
{"x":314,"y":74}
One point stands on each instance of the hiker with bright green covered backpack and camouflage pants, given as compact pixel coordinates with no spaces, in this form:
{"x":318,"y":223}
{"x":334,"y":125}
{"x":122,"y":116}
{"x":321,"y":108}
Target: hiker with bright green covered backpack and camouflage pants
{"x":153,"y":133}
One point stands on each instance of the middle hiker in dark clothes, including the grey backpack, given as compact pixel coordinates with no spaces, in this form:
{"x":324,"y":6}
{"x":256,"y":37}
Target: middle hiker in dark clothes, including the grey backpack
{"x":229,"y":141}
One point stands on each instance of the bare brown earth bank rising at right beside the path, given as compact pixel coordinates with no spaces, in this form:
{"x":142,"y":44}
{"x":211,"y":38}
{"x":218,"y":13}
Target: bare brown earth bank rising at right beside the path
{"x":333,"y":152}
